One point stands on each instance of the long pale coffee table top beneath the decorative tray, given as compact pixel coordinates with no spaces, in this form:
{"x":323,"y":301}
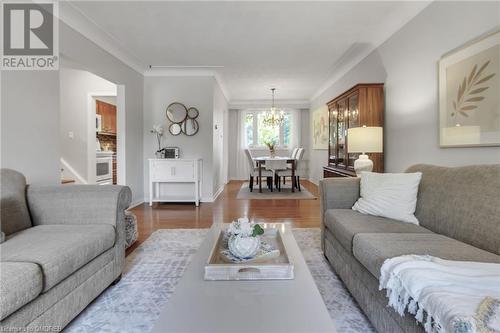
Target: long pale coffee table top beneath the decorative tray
{"x":245,"y":306}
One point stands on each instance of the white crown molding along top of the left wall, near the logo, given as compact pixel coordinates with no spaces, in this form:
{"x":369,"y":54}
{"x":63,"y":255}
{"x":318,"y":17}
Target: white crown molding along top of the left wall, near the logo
{"x":76,"y":19}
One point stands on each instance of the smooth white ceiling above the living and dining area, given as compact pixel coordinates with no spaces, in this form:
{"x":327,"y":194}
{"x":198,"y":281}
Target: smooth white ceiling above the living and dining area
{"x":293,"y":46}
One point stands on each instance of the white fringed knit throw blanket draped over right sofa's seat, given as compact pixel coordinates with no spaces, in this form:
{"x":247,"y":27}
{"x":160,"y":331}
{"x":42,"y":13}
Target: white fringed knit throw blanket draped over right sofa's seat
{"x":445,"y":296}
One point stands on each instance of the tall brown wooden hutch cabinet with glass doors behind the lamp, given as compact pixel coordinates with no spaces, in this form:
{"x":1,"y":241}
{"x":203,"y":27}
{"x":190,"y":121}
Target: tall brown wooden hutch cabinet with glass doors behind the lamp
{"x":361,"y":105}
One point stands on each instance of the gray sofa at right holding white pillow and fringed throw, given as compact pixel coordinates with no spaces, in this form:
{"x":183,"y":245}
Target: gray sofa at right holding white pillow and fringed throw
{"x":459,"y":214}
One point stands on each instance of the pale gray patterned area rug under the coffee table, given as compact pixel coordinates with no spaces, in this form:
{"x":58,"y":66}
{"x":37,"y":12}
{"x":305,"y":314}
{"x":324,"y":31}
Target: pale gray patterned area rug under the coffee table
{"x":155,"y":267}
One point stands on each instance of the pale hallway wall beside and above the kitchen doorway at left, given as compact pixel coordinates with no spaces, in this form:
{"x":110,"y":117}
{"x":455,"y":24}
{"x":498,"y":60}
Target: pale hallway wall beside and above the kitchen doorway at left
{"x":75,"y":88}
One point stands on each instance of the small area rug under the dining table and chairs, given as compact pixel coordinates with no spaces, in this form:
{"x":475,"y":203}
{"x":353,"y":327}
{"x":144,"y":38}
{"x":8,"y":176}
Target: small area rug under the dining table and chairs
{"x":286,"y":193}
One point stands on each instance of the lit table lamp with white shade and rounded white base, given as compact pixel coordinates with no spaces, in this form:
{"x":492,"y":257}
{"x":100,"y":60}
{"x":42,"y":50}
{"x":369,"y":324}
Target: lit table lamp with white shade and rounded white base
{"x":364,"y":140}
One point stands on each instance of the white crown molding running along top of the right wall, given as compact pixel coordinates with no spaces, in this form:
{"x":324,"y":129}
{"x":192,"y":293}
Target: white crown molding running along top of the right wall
{"x":342,"y":70}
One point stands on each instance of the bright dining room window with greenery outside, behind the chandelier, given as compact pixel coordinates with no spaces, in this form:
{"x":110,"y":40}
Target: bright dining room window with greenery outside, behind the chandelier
{"x":257,"y":133}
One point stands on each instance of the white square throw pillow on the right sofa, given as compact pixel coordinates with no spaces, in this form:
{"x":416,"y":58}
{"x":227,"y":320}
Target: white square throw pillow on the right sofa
{"x":391,"y":195}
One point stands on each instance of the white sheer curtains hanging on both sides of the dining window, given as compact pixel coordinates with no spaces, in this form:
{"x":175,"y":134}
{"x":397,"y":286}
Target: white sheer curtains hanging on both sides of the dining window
{"x":242,"y":169}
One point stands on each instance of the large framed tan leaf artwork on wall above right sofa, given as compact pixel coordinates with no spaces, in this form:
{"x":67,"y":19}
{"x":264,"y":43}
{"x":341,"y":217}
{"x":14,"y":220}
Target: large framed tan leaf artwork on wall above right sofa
{"x":469,"y":94}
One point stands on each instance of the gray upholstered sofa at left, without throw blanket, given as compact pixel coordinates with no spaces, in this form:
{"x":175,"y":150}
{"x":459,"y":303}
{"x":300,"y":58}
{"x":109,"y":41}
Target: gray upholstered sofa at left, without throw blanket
{"x":63,"y":246}
